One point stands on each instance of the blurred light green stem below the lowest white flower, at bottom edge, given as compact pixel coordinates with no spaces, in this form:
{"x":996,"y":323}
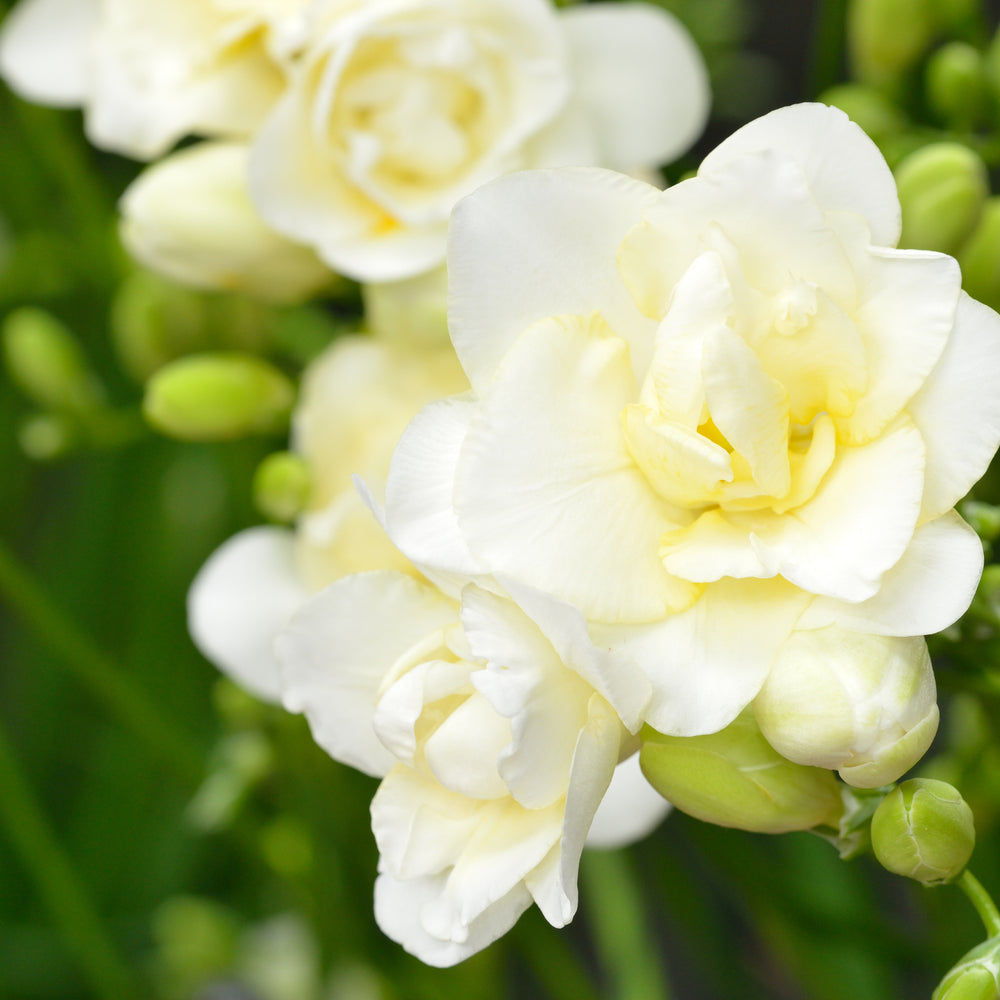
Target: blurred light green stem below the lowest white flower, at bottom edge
{"x":620,"y":928}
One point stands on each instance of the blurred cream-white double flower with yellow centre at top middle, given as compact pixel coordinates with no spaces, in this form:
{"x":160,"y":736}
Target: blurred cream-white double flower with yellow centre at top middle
{"x":398,"y":108}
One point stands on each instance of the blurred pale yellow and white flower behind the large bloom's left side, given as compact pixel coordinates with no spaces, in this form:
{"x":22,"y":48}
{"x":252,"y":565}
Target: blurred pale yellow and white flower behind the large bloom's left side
{"x":355,"y":400}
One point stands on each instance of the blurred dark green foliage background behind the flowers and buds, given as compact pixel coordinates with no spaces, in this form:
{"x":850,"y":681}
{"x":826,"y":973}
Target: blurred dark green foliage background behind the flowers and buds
{"x":162,"y":835}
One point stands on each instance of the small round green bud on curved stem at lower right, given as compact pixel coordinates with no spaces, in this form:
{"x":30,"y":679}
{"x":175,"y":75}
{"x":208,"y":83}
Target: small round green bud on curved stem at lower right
{"x":924,"y":830}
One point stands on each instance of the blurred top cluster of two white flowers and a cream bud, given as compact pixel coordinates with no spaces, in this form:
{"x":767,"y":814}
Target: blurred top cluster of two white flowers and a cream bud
{"x":360,"y":123}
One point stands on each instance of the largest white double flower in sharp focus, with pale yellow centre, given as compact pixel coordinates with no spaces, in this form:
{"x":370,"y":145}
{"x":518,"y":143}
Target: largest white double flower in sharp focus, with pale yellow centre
{"x":709,"y":415}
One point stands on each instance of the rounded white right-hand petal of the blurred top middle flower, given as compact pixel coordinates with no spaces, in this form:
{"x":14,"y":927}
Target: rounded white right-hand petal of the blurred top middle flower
{"x":641,"y":77}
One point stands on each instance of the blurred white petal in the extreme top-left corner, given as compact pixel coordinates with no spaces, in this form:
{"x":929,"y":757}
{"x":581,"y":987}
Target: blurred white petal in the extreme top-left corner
{"x":45,"y":50}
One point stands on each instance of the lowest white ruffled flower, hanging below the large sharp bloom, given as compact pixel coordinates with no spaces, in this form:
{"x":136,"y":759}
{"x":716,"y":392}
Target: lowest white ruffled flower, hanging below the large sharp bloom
{"x":496,"y":725}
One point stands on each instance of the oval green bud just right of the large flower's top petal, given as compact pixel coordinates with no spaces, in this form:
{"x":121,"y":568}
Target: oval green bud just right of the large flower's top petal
{"x":942,"y":190}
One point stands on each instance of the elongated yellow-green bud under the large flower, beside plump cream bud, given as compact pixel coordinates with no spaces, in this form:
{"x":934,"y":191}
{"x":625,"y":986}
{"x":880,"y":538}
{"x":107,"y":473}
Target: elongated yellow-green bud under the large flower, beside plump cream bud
{"x":735,"y":778}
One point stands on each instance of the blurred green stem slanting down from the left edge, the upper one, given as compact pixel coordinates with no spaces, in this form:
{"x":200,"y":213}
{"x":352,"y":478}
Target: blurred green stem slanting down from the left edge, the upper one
{"x":78,"y":654}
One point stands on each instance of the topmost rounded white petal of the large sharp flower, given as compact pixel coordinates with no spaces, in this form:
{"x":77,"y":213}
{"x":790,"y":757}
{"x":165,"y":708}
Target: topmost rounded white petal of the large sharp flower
{"x":845,"y":170}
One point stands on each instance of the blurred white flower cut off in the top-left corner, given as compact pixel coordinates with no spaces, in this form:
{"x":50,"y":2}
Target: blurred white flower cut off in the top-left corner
{"x":148,"y":72}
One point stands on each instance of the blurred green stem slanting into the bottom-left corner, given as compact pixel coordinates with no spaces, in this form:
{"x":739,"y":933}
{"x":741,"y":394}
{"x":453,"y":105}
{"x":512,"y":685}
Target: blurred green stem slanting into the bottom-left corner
{"x":57,"y":884}
